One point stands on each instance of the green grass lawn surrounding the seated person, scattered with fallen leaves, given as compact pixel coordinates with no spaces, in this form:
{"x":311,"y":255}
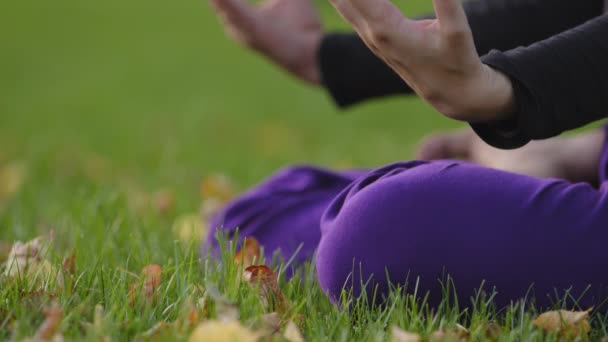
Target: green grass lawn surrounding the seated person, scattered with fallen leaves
{"x":111,"y":115}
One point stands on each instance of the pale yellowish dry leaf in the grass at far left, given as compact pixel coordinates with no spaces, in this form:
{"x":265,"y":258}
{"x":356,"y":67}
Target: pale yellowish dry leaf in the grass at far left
{"x":27,"y":259}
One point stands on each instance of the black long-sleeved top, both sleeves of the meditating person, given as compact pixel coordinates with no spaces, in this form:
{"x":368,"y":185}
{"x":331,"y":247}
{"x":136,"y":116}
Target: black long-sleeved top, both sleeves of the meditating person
{"x":556,"y":55}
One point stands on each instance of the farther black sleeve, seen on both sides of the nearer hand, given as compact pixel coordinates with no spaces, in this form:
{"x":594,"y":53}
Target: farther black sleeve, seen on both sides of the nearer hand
{"x":352,"y":73}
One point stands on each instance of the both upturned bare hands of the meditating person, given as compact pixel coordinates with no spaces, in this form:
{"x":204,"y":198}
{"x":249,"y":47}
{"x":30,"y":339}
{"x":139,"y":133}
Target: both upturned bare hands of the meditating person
{"x":436,"y":58}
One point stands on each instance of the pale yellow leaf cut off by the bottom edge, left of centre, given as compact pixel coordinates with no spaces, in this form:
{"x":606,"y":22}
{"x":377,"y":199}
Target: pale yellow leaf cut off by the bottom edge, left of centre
{"x":217,"y":331}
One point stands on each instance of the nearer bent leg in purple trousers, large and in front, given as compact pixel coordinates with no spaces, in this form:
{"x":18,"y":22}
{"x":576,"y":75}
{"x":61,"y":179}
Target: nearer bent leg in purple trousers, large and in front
{"x":418,"y":221}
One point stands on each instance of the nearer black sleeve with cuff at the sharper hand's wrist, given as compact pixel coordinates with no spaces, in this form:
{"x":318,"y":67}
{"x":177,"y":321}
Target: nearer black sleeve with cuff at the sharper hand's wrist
{"x":559,"y":84}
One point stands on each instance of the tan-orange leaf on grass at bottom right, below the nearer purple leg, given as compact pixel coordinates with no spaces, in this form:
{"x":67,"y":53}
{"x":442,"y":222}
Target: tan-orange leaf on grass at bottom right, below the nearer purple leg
{"x":564,"y":322}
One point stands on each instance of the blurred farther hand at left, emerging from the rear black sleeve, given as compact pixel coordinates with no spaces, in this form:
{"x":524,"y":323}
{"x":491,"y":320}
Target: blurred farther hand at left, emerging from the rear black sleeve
{"x":288,"y":32}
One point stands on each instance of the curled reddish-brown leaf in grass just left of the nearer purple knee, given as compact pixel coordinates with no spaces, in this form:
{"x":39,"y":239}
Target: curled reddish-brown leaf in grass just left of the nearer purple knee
{"x":265,"y":280}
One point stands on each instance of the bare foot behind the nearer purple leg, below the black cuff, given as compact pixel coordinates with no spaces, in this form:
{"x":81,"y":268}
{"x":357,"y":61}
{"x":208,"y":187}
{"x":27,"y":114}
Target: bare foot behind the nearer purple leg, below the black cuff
{"x":574,"y":158}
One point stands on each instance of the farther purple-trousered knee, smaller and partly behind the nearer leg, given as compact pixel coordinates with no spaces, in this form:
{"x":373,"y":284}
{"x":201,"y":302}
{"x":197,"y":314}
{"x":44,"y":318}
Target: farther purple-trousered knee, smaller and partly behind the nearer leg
{"x":283,"y":212}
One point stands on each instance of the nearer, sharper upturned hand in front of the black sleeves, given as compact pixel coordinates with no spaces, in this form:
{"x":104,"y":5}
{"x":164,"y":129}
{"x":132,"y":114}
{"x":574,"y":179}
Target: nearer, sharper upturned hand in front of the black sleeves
{"x":436,"y":58}
